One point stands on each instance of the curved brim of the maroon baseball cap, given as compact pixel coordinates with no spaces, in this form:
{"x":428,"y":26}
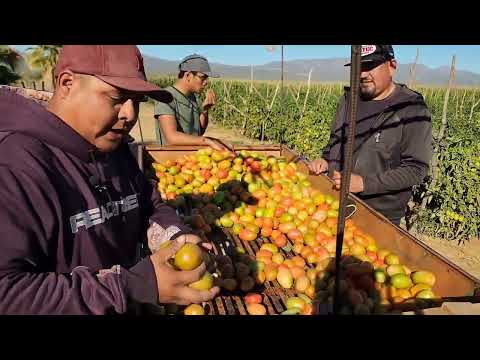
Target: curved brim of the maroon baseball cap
{"x":138,"y":85}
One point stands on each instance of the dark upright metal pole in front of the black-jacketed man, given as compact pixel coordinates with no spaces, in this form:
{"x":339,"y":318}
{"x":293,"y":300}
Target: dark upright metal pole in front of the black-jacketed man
{"x":347,"y":168}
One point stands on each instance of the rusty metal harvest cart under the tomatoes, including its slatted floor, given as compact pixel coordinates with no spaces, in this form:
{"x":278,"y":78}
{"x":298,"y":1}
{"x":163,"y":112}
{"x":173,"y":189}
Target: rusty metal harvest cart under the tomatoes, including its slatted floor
{"x":452,"y":283}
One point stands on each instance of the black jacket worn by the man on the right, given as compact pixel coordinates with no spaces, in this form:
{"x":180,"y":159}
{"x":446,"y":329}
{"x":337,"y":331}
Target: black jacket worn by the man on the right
{"x":395,"y":154}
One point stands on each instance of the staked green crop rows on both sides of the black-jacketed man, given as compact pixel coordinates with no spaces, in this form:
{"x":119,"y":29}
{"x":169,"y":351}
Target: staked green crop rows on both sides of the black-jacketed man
{"x":303,"y":124}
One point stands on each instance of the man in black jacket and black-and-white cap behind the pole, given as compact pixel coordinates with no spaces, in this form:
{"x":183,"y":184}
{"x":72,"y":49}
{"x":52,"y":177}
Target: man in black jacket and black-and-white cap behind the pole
{"x":393,"y":137}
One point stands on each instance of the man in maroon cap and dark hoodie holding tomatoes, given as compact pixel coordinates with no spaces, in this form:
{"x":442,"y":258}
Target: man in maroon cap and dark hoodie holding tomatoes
{"x":74,"y":206}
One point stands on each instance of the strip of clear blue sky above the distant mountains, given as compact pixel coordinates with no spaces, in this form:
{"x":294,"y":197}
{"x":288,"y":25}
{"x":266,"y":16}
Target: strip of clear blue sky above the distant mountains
{"x":468,"y":56}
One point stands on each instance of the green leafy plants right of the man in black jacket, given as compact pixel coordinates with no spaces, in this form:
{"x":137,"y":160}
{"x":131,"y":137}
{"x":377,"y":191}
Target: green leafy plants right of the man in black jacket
{"x":452,"y":206}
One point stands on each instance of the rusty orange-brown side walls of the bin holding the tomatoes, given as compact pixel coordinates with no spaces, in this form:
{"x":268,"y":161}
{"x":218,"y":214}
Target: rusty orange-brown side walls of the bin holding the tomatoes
{"x":451,"y":280}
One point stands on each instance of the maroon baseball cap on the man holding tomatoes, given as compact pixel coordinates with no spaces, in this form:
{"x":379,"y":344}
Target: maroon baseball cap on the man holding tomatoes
{"x":118,"y":65}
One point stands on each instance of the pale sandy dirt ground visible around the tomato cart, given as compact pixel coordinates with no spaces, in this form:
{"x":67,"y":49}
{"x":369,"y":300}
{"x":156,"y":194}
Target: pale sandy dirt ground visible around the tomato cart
{"x":466,"y":256}
